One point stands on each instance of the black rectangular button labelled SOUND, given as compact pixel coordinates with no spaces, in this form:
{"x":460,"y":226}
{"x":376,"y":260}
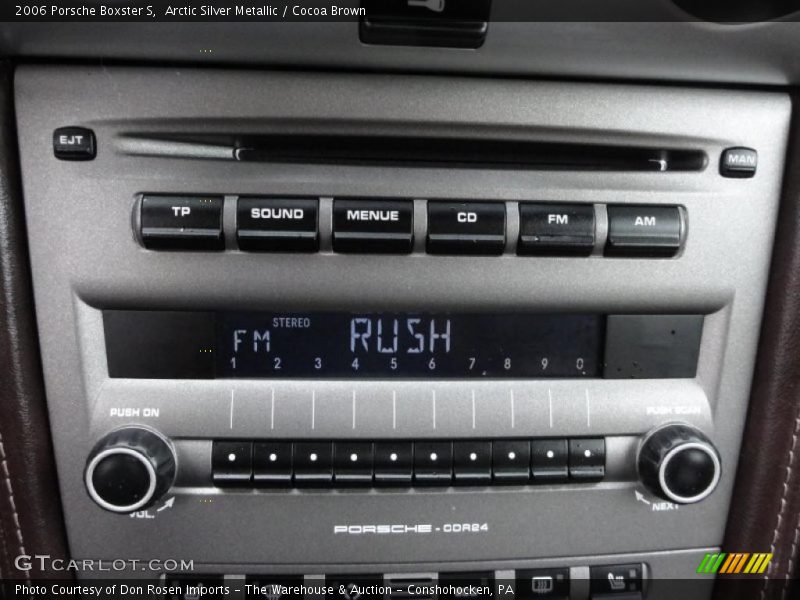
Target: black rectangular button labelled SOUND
{"x":277,"y":224}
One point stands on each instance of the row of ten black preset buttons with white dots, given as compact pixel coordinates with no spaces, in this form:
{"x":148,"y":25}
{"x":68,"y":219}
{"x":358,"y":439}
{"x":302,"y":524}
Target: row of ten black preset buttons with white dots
{"x":312,"y":463}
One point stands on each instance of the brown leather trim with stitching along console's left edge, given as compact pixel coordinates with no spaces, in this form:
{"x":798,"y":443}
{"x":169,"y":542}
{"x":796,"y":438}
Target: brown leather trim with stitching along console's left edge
{"x":31,"y":520}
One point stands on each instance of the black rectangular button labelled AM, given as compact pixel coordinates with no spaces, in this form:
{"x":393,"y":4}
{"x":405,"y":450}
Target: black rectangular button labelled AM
{"x":647,"y":231}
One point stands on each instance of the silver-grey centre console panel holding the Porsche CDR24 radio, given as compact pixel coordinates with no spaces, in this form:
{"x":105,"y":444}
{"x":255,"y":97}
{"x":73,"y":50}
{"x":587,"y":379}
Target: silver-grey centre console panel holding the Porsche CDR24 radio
{"x":320,"y":325}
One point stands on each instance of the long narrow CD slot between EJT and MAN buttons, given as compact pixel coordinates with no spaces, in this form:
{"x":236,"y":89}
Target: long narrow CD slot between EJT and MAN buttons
{"x":390,"y":150}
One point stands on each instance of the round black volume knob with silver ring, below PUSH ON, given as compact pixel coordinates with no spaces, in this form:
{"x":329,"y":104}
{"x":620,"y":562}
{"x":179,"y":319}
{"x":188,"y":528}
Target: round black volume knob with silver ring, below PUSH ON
{"x":129,"y":469}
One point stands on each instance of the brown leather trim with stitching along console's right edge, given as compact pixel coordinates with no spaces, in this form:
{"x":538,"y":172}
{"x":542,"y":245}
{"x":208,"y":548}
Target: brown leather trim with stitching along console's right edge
{"x":765,"y":510}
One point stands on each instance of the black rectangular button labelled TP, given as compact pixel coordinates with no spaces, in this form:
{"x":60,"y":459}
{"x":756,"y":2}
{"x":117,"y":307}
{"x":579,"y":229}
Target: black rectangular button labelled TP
{"x":182,"y":222}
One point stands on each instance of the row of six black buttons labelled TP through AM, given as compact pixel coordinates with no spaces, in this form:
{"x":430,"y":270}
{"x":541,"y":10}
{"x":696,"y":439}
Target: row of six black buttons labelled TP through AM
{"x":271,"y":224}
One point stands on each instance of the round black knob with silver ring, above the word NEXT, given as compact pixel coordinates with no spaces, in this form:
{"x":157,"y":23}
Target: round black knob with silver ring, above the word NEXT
{"x":679,"y":463}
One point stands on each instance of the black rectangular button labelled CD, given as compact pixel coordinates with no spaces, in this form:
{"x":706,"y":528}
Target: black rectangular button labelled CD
{"x":466,"y":228}
